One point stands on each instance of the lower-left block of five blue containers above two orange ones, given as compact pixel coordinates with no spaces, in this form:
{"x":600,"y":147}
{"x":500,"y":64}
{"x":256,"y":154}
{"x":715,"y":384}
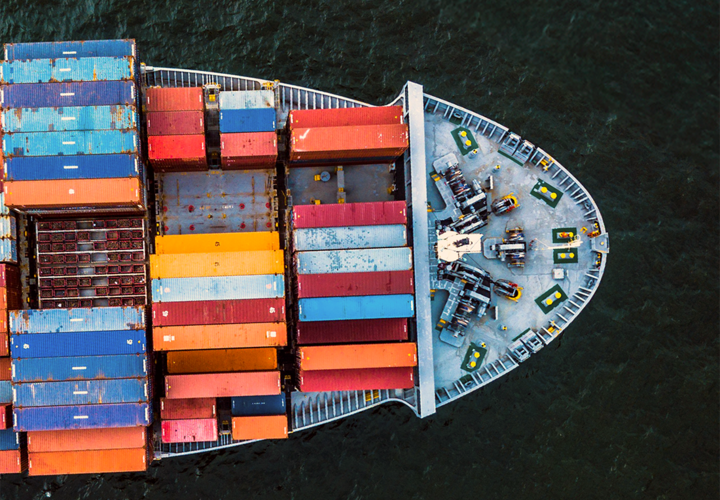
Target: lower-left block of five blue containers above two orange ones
{"x":81,"y":389}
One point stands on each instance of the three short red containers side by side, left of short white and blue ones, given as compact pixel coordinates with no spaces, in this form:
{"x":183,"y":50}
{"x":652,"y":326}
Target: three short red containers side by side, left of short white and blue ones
{"x":176,"y":128}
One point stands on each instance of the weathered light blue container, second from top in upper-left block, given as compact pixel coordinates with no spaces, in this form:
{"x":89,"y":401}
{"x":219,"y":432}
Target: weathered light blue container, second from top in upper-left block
{"x":86,"y":69}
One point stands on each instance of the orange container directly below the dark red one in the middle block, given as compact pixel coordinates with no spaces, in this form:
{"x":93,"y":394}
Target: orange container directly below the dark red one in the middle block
{"x":180,"y":338}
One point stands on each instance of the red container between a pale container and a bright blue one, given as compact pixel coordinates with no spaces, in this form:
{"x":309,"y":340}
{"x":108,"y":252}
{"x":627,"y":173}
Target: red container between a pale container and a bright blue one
{"x":354,"y":284}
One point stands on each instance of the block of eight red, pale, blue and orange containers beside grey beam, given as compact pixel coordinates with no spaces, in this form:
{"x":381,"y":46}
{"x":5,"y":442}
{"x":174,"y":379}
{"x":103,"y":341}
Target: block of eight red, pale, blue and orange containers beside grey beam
{"x":354,"y":286}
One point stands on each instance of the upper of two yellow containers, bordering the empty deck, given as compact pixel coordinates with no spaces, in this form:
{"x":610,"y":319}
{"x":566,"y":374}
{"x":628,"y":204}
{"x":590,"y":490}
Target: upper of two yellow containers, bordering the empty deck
{"x":217,"y":242}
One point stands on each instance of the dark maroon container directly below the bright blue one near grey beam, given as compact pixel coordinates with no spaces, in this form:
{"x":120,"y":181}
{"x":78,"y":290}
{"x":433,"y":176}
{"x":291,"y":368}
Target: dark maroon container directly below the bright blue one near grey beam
{"x":349,"y":332}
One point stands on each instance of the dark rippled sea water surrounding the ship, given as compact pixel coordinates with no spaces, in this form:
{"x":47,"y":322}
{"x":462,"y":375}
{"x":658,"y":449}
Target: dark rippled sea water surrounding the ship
{"x":627,"y":96}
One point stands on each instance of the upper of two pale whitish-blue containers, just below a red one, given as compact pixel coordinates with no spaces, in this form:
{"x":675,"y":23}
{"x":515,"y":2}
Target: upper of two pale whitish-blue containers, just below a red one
{"x":342,"y":238}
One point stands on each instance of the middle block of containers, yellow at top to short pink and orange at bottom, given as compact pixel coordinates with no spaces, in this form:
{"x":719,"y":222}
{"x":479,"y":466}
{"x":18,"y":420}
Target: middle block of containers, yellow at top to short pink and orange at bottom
{"x":219,"y":313}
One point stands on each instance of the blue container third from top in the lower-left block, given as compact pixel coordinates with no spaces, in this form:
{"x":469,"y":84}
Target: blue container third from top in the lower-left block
{"x":79,"y":368}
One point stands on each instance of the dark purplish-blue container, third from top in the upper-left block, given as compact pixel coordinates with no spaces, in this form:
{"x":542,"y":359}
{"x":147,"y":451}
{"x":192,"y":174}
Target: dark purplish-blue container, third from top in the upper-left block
{"x":51,"y":95}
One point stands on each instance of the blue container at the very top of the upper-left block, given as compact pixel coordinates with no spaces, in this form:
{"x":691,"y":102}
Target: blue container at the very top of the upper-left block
{"x":55,"y":50}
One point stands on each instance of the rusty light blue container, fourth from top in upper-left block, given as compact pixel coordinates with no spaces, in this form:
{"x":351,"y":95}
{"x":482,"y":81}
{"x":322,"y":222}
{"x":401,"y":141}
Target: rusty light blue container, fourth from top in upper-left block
{"x":69,"y":118}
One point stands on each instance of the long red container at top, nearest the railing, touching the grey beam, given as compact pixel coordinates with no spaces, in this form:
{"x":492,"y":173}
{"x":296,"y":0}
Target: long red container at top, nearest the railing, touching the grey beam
{"x":345,"y":117}
